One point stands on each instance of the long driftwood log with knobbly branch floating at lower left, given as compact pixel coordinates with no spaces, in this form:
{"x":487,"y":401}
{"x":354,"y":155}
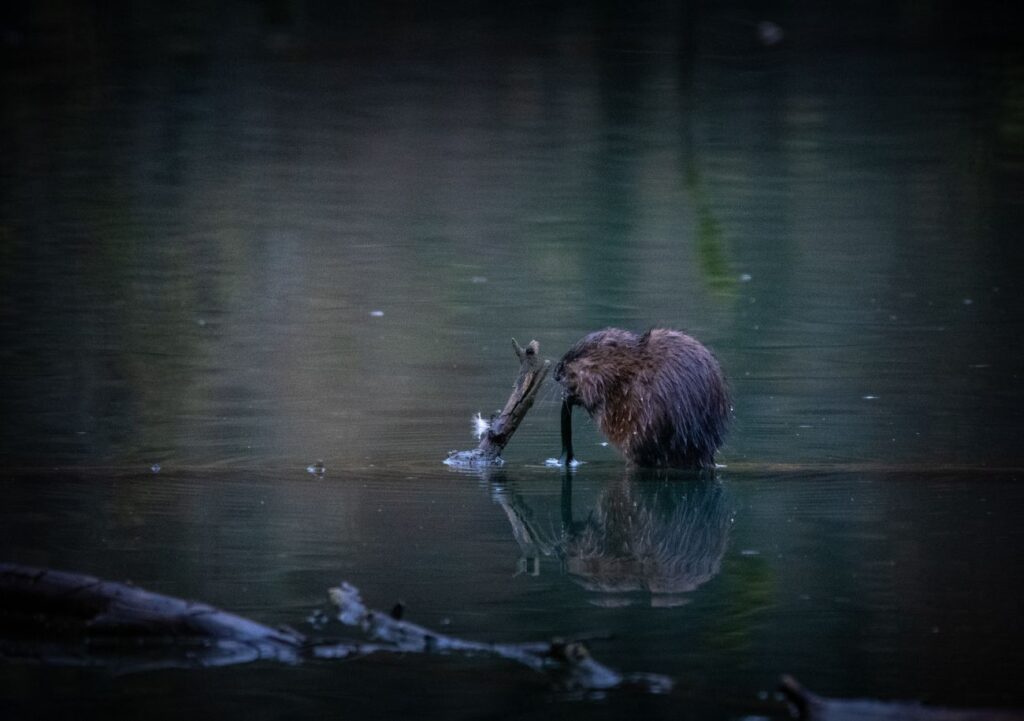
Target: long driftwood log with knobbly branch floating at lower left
{"x":63,"y":619}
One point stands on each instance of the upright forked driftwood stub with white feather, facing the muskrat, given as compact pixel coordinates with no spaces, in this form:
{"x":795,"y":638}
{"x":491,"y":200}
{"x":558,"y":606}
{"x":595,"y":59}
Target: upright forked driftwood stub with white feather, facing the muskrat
{"x":533,"y":370}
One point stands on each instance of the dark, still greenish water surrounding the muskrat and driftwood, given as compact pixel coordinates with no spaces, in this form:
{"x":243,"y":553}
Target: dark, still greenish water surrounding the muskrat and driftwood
{"x":231,"y":255}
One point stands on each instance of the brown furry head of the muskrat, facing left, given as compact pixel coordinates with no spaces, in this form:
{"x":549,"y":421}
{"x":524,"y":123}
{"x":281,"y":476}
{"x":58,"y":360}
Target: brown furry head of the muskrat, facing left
{"x":592,"y":368}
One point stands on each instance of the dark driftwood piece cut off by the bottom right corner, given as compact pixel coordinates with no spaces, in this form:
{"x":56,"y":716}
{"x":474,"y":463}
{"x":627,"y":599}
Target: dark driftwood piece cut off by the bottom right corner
{"x":810,"y":707}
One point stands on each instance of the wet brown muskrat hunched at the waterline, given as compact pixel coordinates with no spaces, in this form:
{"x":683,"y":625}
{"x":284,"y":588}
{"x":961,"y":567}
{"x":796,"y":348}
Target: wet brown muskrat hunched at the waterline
{"x":660,"y":398}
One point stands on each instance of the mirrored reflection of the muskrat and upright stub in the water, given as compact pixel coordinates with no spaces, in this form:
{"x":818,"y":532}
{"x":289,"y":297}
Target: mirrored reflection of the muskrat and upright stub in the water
{"x":645,"y":535}
